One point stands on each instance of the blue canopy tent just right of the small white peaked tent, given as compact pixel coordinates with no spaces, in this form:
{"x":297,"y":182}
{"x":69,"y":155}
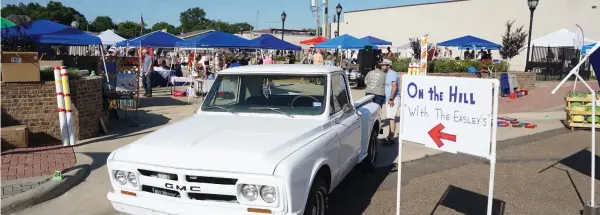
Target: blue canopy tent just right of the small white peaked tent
{"x":156,"y":39}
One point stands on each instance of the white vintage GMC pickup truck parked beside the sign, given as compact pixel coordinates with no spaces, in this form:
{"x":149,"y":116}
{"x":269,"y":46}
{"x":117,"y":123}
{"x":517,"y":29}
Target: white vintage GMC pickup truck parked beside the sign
{"x":269,"y":139}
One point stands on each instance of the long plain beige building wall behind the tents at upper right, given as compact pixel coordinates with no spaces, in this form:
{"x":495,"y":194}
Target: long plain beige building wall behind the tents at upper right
{"x":481,"y":18}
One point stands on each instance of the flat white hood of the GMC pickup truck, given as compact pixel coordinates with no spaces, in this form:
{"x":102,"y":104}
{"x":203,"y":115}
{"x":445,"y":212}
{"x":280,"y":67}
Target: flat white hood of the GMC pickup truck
{"x":242,"y":144}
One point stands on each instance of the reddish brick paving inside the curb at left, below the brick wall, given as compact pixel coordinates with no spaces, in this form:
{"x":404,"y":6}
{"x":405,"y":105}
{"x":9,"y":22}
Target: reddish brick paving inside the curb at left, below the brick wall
{"x":35,"y":161}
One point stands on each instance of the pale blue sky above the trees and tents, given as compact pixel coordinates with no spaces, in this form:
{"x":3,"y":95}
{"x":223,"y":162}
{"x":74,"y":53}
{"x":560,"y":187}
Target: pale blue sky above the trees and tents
{"x":267,"y":12}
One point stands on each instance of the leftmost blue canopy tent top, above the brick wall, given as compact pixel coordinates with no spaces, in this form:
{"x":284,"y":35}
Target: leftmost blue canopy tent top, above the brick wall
{"x":52,"y":33}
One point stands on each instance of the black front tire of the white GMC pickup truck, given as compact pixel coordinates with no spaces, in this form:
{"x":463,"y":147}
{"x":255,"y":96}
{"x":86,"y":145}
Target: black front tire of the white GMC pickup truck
{"x":318,"y":198}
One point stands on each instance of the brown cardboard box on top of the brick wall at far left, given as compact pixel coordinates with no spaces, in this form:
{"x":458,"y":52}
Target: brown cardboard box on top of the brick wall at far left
{"x":20,"y":67}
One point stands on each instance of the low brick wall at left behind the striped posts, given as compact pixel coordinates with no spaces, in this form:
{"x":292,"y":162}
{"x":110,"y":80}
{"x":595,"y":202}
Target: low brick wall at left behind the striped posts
{"x":34,"y":105}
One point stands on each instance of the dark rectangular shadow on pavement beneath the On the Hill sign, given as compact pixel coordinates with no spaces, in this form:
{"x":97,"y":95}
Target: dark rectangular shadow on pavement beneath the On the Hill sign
{"x":468,"y":202}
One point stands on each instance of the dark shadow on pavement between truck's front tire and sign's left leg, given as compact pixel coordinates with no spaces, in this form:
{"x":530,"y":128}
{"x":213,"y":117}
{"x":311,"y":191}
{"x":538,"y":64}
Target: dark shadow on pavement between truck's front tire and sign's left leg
{"x":353,"y":195}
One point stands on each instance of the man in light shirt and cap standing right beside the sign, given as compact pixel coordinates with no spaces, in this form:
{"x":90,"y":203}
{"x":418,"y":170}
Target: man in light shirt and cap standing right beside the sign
{"x":392,"y":96}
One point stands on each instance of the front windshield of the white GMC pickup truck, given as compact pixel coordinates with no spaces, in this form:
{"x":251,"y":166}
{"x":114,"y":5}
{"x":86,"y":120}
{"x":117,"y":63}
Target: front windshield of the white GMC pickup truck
{"x":273,"y":94}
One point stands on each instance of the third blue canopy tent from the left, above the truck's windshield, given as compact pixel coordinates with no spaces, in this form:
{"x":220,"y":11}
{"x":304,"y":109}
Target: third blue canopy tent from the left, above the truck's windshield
{"x":216,"y":39}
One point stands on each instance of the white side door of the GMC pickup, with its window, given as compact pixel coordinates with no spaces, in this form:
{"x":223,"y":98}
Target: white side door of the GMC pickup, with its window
{"x":346,"y":123}
